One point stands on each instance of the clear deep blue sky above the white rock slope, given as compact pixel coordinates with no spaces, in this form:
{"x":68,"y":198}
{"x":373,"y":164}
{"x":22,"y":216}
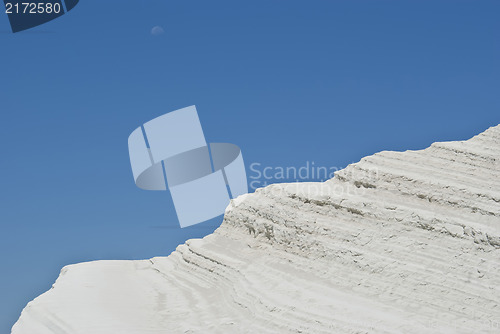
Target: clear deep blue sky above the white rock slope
{"x":287,"y":81}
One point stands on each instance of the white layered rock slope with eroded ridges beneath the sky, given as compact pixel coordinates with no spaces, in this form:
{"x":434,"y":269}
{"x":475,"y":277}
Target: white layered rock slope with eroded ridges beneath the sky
{"x":401,"y":242}
